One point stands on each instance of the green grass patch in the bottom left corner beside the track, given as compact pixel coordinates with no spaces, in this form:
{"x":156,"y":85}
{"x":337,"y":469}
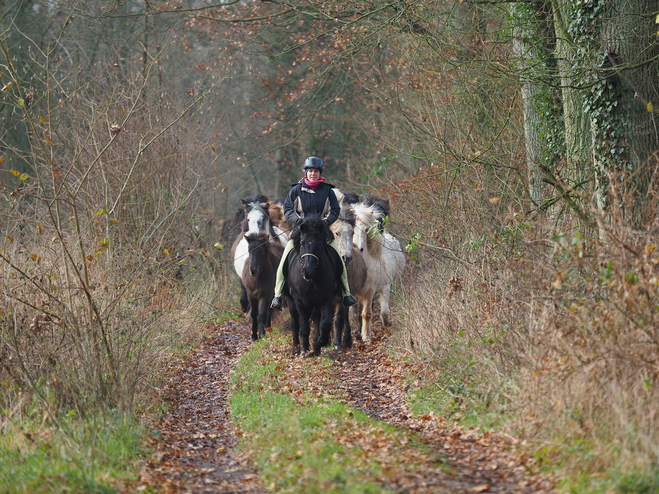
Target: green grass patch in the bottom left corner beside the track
{"x":74,"y":456}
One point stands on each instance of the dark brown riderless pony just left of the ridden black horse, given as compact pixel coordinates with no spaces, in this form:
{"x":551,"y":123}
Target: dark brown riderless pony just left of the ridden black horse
{"x":258,"y":279}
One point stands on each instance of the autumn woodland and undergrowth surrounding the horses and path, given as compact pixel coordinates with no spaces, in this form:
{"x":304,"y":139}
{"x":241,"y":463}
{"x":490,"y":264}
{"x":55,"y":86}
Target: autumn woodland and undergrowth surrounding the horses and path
{"x":516,"y":140}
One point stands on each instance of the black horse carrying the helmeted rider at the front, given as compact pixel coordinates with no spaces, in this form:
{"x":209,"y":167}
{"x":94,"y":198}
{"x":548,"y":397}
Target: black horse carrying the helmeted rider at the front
{"x":313,"y":286}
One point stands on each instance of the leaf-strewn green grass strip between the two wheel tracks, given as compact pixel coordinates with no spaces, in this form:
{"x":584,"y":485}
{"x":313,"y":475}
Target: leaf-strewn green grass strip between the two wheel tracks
{"x":305,"y":439}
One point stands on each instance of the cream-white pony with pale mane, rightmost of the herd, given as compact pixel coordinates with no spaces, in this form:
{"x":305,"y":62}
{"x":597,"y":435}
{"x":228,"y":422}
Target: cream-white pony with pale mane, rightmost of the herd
{"x":384,"y":257}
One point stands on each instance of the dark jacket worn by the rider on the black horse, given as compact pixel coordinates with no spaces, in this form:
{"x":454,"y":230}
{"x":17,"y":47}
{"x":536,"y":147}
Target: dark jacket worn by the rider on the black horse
{"x":311,"y":202}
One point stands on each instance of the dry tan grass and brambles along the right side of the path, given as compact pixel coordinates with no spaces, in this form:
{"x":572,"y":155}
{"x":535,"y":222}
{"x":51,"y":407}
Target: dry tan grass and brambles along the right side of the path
{"x":556,"y":331}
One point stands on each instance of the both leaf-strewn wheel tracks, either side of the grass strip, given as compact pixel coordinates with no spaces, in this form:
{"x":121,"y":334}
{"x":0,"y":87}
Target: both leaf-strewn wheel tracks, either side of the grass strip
{"x":196,"y":441}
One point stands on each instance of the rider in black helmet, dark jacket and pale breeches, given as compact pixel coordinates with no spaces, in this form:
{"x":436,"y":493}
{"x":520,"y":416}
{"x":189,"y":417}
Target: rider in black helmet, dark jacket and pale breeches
{"x":310,"y":195}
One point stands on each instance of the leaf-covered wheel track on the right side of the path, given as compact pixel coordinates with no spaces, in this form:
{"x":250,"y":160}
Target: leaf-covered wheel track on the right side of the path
{"x":375,"y":385}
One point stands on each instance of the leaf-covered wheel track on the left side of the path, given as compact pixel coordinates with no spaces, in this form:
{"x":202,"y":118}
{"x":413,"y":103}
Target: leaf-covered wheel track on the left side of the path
{"x":197,"y":451}
